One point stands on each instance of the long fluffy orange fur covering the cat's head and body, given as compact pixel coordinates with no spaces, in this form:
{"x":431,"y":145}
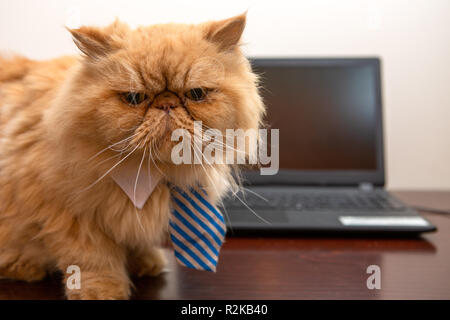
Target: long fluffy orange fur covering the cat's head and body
{"x":56,"y":115}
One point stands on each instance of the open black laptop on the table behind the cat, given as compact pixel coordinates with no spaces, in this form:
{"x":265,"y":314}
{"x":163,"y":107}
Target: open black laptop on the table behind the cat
{"x":331,"y":166}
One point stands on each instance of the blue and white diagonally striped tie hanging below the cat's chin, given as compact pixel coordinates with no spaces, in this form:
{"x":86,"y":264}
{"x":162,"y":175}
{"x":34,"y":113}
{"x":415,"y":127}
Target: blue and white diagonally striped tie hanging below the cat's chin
{"x":197,"y":229}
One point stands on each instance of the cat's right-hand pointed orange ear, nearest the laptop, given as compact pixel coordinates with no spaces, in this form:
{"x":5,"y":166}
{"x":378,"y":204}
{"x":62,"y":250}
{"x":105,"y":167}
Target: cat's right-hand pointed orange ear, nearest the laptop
{"x":226,"y":33}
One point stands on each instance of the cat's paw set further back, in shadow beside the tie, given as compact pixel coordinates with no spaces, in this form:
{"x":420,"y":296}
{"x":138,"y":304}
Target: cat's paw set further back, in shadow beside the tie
{"x":152,"y":264}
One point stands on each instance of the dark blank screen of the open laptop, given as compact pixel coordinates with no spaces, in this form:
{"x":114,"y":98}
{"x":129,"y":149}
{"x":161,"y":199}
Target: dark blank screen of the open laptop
{"x":326,"y":115}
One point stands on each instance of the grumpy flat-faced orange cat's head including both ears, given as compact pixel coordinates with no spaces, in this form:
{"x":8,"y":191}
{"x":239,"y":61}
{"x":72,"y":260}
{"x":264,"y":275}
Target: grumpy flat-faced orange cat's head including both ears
{"x":142,"y":84}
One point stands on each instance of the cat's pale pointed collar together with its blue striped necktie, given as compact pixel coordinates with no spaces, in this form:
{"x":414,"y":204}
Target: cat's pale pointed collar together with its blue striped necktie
{"x":197,"y":227}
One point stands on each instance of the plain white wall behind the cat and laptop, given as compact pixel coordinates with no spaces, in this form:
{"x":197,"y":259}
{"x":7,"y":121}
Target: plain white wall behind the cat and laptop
{"x":411,"y":36}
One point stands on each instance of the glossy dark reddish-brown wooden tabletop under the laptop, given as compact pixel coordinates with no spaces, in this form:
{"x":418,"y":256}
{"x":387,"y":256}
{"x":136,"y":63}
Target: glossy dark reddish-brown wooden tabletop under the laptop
{"x":301,"y":267}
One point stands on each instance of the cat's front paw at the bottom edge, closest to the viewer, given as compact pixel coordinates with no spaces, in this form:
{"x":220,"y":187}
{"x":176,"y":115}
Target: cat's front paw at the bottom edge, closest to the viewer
{"x":95,"y":286}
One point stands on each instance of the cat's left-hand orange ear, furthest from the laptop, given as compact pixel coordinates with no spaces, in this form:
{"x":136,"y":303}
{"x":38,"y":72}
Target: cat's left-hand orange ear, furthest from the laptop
{"x":97,"y":42}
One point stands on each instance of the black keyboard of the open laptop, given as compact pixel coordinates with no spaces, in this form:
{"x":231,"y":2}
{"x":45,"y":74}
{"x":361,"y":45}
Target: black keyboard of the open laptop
{"x":315,"y":201}
